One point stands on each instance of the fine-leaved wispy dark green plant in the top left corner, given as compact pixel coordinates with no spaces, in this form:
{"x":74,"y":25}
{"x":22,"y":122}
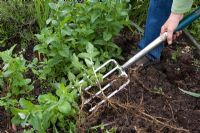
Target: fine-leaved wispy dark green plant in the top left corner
{"x":16,"y":22}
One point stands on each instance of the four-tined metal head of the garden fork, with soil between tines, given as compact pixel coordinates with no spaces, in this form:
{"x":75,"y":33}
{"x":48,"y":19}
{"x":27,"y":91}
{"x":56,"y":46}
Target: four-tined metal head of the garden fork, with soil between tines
{"x":109,"y":89}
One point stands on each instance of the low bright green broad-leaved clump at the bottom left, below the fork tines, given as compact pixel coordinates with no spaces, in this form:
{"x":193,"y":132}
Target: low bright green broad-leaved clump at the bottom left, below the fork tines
{"x":50,"y":110}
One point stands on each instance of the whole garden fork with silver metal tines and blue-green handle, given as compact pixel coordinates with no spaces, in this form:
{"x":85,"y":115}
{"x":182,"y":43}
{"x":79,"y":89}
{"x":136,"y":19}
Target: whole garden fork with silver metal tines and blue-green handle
{"x":121,"y":69}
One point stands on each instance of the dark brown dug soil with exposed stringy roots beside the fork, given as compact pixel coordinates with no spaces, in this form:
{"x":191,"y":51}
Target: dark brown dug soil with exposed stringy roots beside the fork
{"x":153,"y":102}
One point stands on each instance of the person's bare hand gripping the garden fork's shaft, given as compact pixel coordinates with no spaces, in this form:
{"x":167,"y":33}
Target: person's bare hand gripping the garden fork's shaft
{"x":170,"y":26}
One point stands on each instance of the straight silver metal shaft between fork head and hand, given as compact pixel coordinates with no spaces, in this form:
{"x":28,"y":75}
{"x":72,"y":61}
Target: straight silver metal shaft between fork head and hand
{"x":146,"y":50}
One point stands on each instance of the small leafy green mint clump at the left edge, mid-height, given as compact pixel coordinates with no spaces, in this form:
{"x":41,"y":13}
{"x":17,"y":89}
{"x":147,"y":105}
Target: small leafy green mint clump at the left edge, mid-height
{"x":12,"y":77}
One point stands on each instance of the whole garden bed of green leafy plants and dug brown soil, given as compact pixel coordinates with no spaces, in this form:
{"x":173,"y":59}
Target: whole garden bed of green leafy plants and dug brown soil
{"x":47,"y":47}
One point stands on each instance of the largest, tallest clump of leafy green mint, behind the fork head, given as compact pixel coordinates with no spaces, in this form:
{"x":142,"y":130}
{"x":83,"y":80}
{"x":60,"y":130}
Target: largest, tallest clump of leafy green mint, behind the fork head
{"x":79,"y":35}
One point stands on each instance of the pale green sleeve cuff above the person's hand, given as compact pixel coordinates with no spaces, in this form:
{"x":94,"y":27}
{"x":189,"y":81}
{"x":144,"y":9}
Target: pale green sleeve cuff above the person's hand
{"x":181,"y":6}
